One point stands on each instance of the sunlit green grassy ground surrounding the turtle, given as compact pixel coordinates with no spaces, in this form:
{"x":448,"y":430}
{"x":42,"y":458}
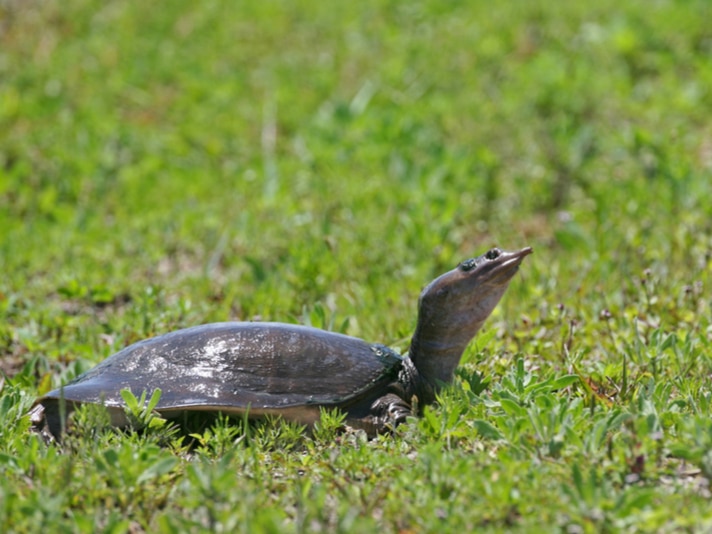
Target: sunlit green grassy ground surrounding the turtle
{"x":169,"y":165}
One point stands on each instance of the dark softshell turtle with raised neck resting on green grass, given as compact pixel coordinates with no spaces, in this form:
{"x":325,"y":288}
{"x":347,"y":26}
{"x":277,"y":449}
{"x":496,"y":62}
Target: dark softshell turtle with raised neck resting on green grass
{"x":293,"y":371}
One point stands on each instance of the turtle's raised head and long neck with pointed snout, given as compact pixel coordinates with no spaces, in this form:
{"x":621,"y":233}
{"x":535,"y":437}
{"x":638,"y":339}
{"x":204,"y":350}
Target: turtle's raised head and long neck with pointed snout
{"x":453,"y":307}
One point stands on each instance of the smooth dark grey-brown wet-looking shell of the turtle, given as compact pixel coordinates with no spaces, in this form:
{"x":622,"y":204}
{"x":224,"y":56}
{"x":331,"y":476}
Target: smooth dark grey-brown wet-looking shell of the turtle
{"x":258,"y":368}
